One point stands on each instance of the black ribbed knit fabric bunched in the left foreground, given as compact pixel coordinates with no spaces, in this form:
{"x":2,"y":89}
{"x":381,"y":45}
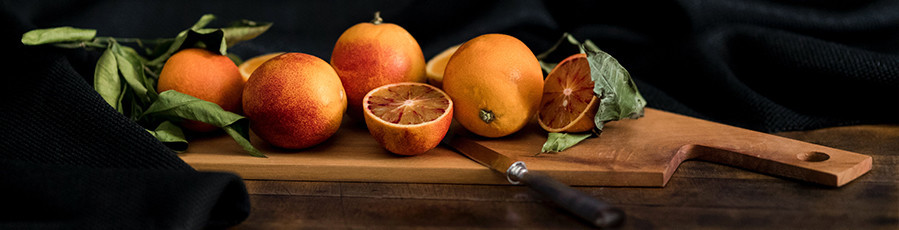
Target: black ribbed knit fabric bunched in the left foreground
{"x":70,"y":161}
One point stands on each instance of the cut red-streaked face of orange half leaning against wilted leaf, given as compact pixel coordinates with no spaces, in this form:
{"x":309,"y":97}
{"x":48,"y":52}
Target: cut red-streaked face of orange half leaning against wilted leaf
{"x":566,"y":93}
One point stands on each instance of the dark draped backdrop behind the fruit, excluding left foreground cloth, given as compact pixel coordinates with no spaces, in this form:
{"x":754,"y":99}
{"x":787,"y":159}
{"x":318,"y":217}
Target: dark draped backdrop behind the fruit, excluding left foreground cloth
{"x":763,"y":65}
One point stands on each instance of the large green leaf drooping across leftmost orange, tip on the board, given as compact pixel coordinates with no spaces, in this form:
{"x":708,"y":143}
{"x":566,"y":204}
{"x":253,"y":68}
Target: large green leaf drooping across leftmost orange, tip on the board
{"x":174,"y":105}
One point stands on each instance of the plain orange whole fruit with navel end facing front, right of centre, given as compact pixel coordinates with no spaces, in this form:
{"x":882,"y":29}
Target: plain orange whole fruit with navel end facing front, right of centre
{"x":496,"y":84}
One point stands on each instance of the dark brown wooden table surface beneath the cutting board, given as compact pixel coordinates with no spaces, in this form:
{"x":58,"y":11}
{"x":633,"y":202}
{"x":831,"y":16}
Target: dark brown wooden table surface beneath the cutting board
{"x":700,"y":195}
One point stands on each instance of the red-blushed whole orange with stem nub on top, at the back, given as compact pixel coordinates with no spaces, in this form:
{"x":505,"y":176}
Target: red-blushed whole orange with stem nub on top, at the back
{"x":369,"y":55}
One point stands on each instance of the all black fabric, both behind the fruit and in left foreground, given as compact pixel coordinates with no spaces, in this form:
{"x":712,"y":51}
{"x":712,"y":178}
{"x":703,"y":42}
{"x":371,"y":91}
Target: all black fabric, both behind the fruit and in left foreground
{"x":68,"y":160}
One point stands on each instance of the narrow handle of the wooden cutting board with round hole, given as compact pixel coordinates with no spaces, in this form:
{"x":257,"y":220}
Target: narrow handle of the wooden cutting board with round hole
{"x":785,"y":157}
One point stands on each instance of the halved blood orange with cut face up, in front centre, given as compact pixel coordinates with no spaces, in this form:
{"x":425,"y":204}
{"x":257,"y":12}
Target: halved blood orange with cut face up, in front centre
{"x":408,"y":118}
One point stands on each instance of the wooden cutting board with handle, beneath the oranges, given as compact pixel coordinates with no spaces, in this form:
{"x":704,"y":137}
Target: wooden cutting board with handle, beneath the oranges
{"x":642,"y":152}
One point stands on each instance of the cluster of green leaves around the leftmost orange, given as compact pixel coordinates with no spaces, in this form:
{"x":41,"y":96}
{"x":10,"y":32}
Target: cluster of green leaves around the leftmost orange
{"x":126,"y":78}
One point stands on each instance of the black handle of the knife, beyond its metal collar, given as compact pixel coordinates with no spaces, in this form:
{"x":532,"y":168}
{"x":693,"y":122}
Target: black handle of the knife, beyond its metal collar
{"x":585,"y":206}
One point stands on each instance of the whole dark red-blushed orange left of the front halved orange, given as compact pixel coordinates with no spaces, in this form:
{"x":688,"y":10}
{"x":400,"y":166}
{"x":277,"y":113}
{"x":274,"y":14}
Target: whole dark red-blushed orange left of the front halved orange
{"x":294,"y":101}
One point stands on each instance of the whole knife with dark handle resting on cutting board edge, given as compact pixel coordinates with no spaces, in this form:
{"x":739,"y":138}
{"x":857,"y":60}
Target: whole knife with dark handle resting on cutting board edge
{"x":596,"y":212}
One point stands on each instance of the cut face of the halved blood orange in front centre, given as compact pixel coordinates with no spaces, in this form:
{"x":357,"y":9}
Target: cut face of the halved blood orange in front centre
{"x":407,"y":104}
